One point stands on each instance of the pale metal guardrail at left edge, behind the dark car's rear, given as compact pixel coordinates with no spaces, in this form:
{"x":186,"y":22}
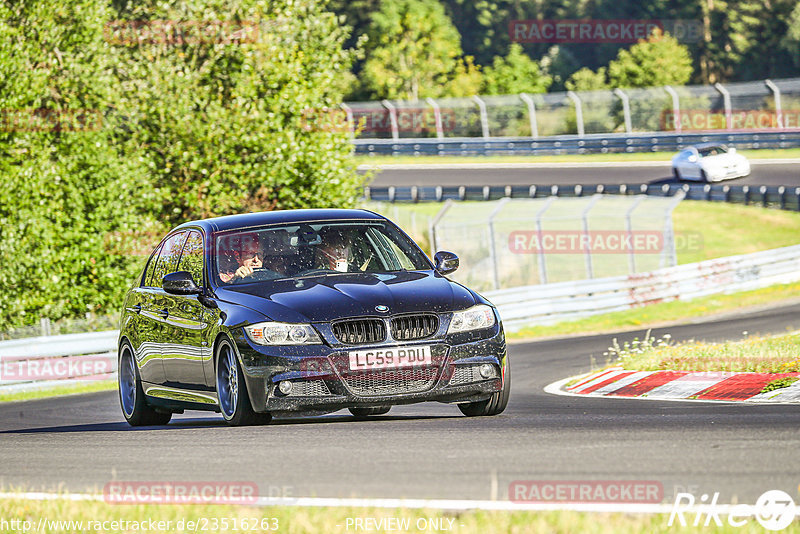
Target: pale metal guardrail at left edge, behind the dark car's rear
{"x":46,"y":361}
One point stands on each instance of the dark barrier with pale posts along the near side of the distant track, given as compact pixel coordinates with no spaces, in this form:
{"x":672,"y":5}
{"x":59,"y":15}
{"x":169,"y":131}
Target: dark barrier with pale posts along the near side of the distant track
{"x":782,"y":197}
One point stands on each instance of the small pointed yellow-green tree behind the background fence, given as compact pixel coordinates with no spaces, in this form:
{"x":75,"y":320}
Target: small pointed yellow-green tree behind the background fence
{"x":516,"y":73}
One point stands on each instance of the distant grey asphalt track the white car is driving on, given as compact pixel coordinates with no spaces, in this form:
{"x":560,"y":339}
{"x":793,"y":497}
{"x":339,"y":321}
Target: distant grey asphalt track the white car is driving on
{"x":769,"y":174}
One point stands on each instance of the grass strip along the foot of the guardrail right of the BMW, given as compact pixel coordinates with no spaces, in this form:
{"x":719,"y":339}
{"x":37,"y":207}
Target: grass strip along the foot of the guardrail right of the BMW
{"x":663,"y":313}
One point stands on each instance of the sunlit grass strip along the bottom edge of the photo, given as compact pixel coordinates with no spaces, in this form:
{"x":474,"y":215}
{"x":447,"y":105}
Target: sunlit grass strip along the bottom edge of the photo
{"x":335,"y":520}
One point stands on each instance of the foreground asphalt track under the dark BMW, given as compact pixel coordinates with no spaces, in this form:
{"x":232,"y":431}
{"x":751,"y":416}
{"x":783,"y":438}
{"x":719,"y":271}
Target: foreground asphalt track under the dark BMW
{"x":80,"y":443}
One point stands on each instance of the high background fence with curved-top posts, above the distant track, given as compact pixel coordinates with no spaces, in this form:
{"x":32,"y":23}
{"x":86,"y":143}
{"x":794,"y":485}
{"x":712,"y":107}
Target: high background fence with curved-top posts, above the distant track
{"x":769,"y":105}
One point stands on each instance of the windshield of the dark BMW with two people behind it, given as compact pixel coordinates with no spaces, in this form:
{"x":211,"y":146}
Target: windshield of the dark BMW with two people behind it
{"x":307,"y":249}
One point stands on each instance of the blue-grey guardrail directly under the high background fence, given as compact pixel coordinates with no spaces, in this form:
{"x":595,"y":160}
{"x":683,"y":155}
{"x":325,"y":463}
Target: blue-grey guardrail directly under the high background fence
{"x":571,"y":144}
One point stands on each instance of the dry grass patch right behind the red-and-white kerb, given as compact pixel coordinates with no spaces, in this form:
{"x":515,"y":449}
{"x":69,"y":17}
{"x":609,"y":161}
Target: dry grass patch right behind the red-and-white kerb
{"x":757,"y":354}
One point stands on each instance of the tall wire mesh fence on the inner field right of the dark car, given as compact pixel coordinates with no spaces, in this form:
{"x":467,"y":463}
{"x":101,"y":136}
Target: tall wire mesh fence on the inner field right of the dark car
{"x":521,"y":242}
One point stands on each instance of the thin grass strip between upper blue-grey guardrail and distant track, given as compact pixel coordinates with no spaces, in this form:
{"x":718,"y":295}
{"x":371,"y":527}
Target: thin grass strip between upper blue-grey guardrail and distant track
{"x":566,"y":158}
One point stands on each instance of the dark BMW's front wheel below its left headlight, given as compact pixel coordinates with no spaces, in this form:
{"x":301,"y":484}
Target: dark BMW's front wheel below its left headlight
{"x":234,"y":404}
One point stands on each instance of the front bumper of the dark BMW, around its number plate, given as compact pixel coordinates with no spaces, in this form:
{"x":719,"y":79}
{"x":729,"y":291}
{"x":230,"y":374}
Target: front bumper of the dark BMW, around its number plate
{"x":322,"y":382}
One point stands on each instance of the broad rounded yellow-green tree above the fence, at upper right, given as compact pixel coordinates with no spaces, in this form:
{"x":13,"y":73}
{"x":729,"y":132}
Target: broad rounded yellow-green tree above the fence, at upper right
{"x":660,"y":60}
